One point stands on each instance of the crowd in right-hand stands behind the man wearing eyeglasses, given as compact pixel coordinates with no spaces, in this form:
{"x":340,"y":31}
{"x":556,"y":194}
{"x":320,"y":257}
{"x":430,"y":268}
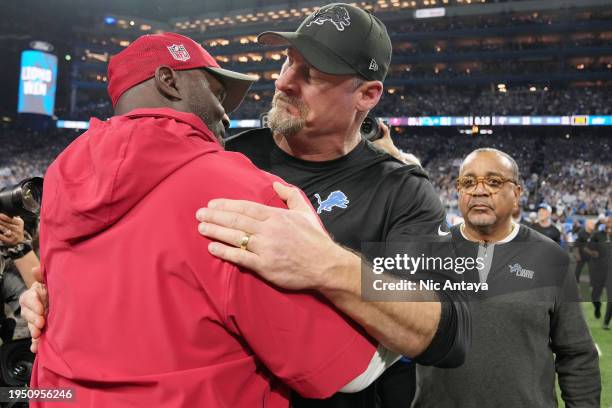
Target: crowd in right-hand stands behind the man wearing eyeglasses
{"x":580,"y":184}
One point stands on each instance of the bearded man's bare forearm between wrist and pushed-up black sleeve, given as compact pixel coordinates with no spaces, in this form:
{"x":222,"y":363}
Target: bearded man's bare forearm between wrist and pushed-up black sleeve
{"x":405,"y":327}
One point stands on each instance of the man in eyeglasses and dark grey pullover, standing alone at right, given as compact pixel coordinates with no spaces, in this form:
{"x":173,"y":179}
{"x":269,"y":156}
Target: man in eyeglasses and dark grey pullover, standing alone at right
{"x":529,"y":326}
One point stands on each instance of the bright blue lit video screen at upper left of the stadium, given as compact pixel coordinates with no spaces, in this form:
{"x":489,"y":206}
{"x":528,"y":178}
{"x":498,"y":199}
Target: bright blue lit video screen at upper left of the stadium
{"x":37,"y":82}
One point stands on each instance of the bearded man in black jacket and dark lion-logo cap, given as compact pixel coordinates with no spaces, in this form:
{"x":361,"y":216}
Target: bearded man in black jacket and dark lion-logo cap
{"x":336,"y":62}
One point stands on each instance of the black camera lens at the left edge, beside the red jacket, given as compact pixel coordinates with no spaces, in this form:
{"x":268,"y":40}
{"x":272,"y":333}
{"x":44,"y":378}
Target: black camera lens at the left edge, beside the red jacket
{"x":22,"y":199}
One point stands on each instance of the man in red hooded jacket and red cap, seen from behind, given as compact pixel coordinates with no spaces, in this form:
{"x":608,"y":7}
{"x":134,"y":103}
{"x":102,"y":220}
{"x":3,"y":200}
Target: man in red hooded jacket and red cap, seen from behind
{"x":141,"y":314}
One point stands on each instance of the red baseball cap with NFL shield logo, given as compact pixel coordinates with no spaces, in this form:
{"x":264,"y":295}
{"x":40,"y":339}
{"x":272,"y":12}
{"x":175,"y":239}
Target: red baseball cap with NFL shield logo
{"x":140,"y":59}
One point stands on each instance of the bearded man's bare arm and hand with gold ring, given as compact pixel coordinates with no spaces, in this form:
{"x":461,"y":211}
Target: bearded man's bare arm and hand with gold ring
{"x":290,"y":249}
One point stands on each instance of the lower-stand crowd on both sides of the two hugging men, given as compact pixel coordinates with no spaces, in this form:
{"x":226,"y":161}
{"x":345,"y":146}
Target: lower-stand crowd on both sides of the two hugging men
{"x":580,"y":184}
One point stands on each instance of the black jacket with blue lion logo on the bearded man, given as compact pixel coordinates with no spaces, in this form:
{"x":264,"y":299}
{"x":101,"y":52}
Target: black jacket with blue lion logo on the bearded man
{"x":368,"y":196}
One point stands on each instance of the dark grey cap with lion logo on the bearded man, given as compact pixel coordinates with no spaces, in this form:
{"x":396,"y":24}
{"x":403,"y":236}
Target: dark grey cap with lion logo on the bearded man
{"x":340,"y":39}
